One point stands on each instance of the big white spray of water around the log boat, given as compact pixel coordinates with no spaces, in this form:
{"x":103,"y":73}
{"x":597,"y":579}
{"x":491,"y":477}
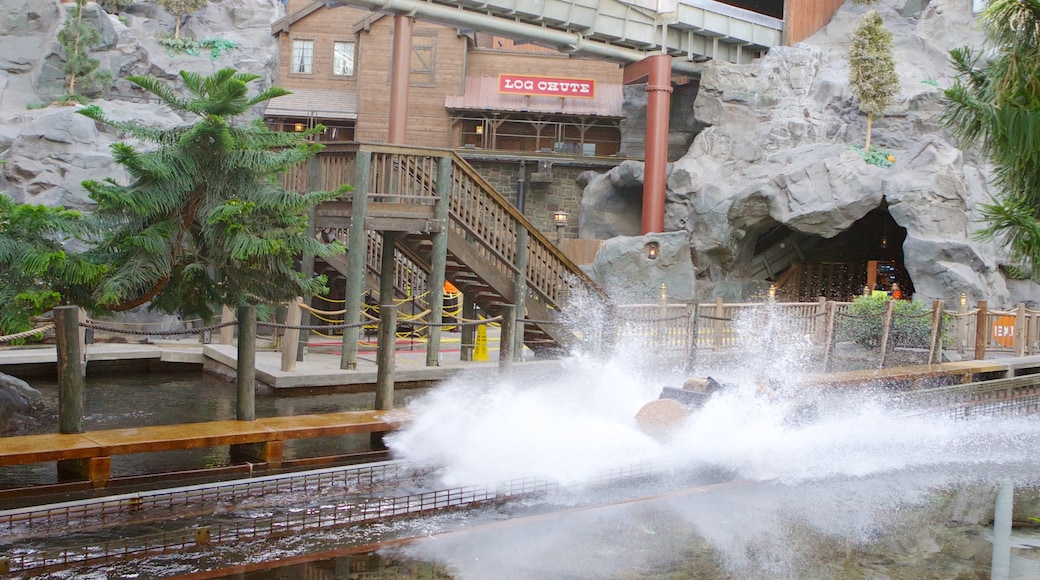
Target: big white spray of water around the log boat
{"x":573,"y":425}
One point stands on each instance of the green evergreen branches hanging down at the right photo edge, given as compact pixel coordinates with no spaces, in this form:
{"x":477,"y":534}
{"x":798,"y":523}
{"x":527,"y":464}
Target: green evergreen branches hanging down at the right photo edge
{"x":995,"y":103}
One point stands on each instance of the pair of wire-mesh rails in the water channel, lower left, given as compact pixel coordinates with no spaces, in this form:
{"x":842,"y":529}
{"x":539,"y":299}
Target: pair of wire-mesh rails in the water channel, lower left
{"x":343,"y":514}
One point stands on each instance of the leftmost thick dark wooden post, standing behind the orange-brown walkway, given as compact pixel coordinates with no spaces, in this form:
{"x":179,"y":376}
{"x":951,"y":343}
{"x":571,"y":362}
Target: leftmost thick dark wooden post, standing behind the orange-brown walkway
{"x":71,"y":380}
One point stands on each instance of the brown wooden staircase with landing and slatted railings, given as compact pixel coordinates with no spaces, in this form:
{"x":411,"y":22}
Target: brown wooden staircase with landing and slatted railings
{"x":495,"y":255}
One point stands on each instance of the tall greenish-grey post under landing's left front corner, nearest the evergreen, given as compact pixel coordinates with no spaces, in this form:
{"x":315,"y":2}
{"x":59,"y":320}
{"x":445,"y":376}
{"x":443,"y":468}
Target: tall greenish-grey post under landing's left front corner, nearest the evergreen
{"x":356,"y":255}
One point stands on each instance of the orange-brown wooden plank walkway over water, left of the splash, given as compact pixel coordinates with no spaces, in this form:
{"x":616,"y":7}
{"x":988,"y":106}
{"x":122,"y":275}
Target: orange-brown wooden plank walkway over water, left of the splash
{"x":88,"y":457}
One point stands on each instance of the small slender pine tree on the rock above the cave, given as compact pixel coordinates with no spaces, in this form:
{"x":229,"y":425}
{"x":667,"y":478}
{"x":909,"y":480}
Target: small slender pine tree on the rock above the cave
{"x":872,"y":69}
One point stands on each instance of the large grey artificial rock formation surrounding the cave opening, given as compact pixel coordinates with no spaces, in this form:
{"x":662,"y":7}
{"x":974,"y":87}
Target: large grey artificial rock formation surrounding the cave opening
{"x":778,"y":151}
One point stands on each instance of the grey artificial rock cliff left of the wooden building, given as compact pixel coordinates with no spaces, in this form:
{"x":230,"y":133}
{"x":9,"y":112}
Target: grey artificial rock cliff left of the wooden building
{"x":46,"y":149}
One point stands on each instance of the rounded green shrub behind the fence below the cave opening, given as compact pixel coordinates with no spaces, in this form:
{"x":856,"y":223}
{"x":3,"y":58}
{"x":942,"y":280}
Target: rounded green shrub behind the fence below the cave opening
{"x":864,"y":323}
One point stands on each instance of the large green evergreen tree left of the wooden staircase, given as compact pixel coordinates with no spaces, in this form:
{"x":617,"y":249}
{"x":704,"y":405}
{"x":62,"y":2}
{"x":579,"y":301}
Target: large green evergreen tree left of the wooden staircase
{"x":204,"y":221}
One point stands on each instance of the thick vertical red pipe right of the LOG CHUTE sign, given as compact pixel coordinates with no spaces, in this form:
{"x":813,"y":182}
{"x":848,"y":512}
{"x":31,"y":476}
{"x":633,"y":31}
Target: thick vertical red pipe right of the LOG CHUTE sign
{"x":659,"y":104}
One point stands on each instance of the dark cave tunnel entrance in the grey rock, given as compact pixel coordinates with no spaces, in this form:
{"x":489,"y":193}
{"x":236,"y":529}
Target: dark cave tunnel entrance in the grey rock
{"x":804,"y":268}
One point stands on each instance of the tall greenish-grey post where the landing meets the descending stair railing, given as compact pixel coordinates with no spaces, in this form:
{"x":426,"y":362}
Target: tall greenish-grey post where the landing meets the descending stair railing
{"x":438,"y":261}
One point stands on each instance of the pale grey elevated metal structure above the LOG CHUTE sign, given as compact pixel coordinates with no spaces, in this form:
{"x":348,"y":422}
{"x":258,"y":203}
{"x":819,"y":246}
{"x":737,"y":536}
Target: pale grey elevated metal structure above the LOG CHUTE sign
{"x":689,"y":31}
